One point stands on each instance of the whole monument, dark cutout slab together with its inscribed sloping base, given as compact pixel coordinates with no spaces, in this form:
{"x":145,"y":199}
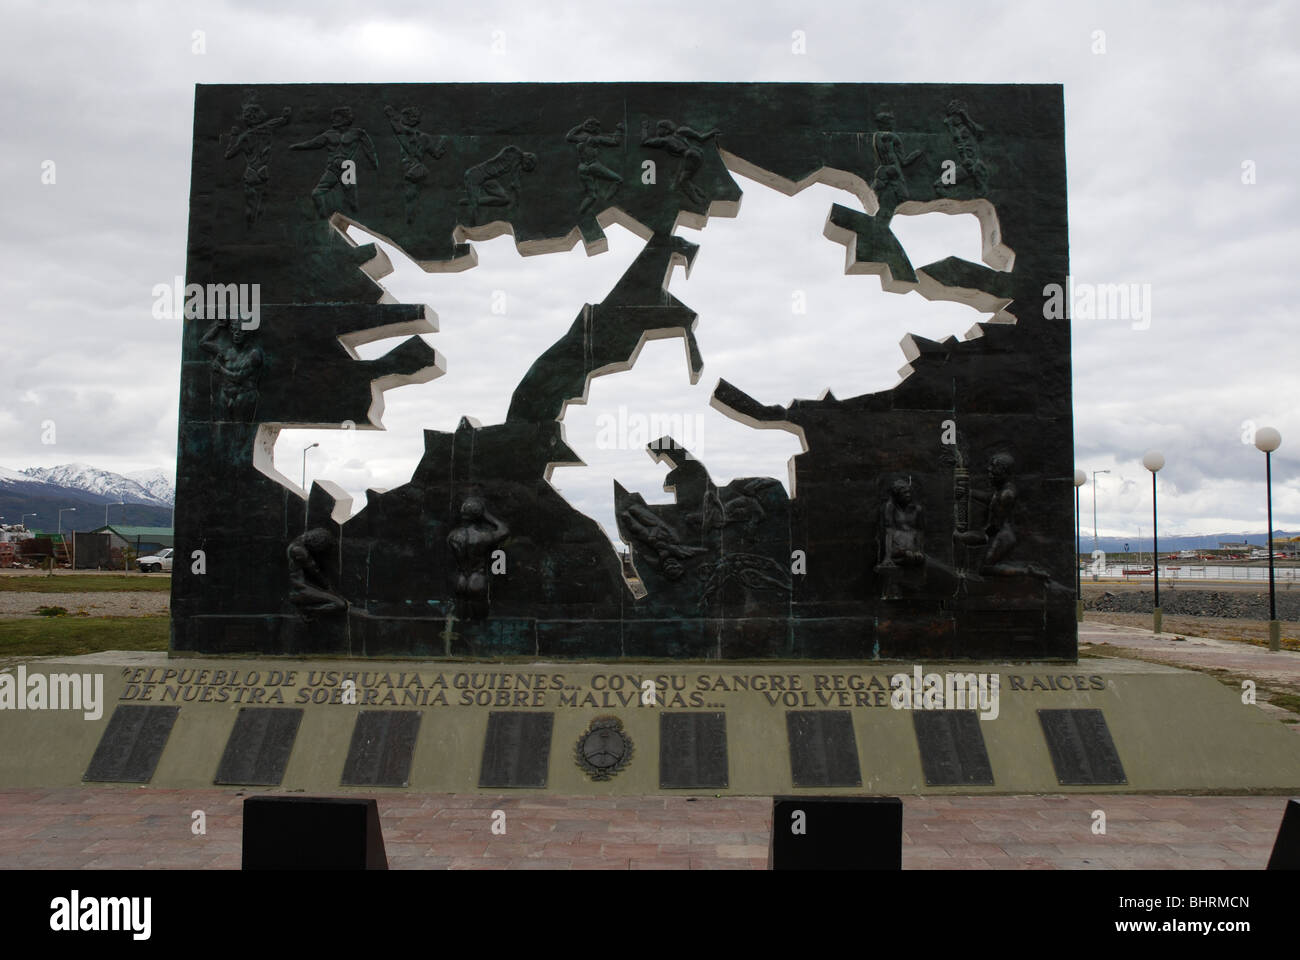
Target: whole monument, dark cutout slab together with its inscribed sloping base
{"x":471,"y":632}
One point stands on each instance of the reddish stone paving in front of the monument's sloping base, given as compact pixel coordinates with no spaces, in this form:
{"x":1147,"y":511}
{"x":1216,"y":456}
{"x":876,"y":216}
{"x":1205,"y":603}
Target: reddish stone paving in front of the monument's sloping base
{"x":111,"y":828}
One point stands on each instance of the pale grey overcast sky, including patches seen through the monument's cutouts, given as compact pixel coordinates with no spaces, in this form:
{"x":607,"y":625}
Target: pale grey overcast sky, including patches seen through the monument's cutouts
{"x":1171,"y":109}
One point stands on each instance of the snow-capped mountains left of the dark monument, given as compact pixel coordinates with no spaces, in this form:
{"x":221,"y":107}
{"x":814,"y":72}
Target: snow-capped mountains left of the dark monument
{"x":146,"y":498}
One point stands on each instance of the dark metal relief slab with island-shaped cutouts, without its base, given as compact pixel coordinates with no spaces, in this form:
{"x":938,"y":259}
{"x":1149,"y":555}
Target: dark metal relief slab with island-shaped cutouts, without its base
{"x":930,"y":521}
